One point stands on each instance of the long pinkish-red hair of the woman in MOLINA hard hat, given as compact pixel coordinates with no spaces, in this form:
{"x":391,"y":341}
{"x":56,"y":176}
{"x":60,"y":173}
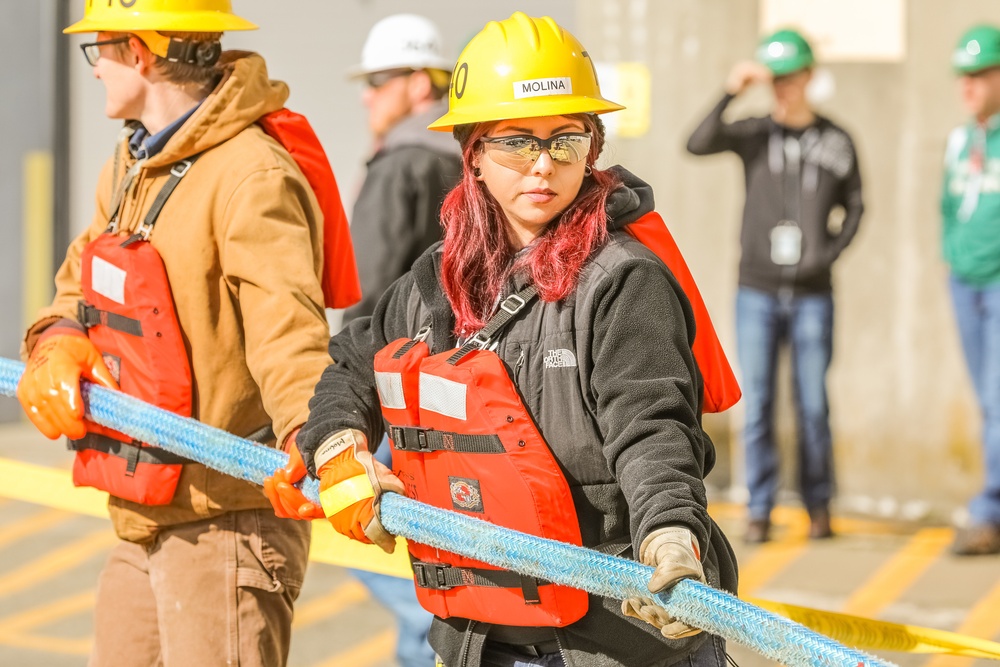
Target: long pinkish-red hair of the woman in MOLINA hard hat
{"x":478,"y":254}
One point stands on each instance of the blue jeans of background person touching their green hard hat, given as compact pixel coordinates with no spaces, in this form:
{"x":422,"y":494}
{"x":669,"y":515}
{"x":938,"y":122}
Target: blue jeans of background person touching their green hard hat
{"x":763,"y":323}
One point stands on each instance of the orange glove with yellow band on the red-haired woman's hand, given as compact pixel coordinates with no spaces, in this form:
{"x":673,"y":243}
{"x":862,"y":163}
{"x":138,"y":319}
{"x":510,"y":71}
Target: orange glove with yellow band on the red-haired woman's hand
{"x":350,"y":485}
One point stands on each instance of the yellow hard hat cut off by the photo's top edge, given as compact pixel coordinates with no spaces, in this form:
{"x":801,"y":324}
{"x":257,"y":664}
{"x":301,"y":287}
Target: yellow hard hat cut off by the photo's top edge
{"x":159,"y":16}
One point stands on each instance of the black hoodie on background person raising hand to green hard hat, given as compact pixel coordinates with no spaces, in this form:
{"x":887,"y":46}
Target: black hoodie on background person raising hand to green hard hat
{"x":828,"y":177}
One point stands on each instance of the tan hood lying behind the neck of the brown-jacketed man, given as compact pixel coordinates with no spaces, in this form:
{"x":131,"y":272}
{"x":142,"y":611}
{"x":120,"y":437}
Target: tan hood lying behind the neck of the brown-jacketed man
{"x":243,"y":95}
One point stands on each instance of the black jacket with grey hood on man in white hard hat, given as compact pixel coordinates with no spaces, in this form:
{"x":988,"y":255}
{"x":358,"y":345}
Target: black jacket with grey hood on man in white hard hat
{"x":396,"y":215}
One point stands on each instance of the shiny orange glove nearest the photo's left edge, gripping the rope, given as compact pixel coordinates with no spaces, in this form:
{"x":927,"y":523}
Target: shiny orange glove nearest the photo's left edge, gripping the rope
{"x":49,"y":390}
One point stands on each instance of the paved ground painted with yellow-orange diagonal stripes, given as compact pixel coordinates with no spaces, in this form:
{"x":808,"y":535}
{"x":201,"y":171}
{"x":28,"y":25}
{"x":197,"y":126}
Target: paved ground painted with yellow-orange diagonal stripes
{"x":50,"y":558}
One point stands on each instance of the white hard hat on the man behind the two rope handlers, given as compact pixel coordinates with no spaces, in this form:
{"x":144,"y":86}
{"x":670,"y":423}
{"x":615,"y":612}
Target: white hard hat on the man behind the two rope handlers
{"x":402,"y":41}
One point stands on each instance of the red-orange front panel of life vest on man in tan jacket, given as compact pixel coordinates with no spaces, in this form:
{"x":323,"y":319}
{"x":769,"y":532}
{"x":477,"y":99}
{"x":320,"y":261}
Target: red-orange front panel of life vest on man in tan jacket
{"x":129,"y":313}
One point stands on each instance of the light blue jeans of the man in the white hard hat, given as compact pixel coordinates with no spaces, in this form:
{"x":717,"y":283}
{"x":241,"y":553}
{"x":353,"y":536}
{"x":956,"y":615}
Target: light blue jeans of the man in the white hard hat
{"x":399,"y":597}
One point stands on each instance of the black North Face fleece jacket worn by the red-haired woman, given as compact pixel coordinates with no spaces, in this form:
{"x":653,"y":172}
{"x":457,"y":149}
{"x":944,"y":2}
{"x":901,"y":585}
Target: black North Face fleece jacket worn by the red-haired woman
{"x":624,"y":422}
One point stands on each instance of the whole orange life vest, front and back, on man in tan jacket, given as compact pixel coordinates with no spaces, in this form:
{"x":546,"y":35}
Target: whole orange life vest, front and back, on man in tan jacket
{"x":128,"y":311}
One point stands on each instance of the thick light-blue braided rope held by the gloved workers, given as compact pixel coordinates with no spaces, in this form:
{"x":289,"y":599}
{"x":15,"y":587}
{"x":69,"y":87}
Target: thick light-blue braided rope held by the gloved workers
{"x":699,"y":605}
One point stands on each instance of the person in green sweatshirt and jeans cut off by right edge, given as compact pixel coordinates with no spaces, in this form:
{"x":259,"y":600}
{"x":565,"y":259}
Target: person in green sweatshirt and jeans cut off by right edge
{"x":970,"y":213}
